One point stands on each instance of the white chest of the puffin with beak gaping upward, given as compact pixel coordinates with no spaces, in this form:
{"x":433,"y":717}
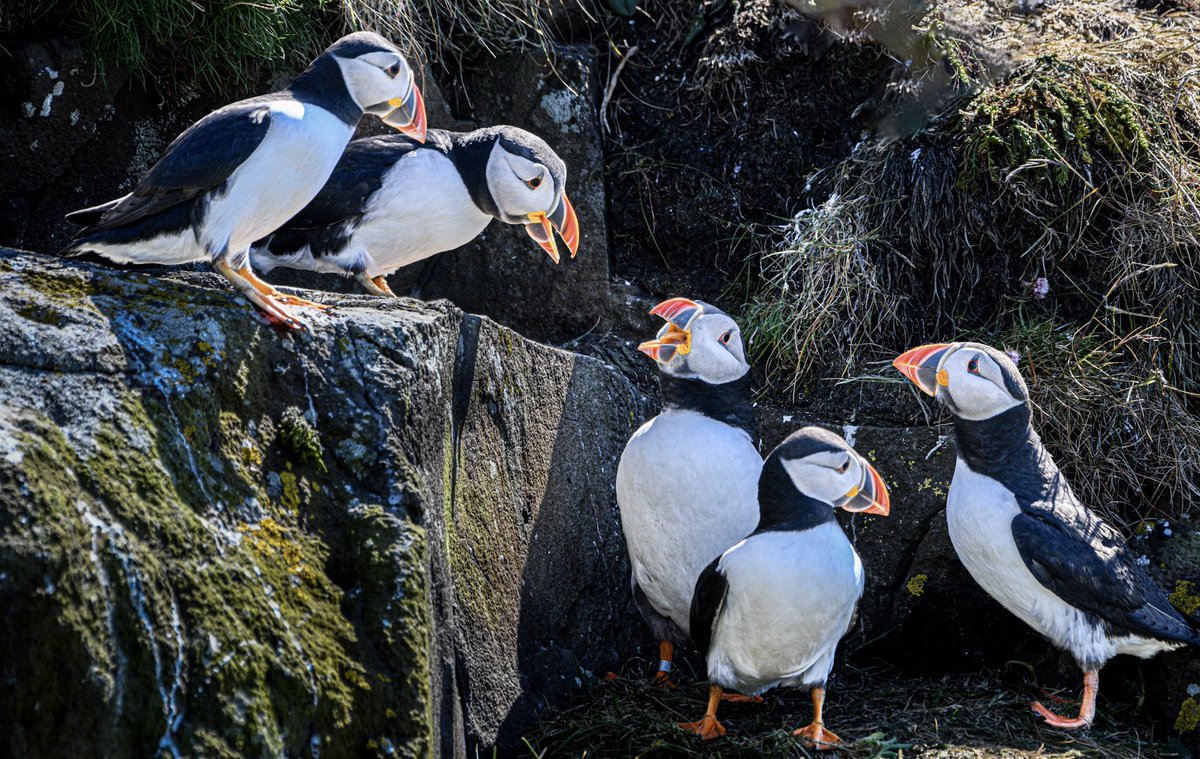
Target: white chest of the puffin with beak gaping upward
{"x":688,"y":489}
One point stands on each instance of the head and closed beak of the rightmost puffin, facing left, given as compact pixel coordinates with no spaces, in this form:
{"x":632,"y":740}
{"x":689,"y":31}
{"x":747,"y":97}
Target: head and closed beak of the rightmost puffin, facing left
{"x":975,"y":381}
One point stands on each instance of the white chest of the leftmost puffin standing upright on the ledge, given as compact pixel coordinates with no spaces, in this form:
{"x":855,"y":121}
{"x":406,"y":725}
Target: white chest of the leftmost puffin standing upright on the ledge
{"x":287,"y":171}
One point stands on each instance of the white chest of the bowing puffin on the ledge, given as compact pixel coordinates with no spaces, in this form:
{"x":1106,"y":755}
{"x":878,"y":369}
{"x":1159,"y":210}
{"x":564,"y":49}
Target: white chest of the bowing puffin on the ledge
{"x":422,"y":208}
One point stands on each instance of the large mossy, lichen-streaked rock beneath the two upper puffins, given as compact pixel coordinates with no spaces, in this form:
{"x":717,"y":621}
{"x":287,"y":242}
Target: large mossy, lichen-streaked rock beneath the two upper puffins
{"x":395,"y":535}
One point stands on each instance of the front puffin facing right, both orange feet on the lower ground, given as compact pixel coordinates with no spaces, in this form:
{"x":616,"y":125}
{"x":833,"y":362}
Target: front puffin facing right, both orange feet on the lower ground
{"x":771,"y":609}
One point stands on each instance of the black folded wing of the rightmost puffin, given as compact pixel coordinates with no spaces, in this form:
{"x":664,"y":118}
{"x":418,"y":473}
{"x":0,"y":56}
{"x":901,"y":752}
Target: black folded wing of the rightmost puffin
{"x":1087,"y":564}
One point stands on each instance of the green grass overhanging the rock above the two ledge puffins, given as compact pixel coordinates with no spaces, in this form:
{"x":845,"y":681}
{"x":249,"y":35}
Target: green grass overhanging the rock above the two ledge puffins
{"x":230,"y":44}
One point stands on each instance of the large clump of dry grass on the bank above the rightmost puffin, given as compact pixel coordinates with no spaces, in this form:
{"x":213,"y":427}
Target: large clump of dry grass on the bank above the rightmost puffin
{"x":1057,"y":214}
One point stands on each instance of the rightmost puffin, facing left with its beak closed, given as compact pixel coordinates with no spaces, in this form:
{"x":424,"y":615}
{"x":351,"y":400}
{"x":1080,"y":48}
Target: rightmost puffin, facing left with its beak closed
{"x":1024,"y":536}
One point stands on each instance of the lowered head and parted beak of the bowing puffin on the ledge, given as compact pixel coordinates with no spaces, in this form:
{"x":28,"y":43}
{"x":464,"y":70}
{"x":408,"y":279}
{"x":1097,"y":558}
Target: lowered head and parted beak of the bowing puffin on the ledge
{"x":527,"y":182}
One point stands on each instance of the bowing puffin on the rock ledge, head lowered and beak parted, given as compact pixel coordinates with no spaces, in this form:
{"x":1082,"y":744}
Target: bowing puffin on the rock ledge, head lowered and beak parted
{"x":394,"y":201}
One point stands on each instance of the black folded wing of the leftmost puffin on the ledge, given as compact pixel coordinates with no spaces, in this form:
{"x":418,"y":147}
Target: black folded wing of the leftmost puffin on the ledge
{"x":197,"y":162}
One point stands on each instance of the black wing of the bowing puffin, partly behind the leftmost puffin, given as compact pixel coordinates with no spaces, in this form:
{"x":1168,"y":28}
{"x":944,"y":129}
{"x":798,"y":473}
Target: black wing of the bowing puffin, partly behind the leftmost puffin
{"x":344,"y":200}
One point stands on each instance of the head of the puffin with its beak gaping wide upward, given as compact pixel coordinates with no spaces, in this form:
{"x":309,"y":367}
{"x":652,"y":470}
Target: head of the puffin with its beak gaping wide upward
{"x":699,"y":342}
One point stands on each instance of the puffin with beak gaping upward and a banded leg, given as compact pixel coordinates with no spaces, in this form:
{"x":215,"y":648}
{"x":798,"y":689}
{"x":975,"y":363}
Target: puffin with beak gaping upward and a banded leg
{"x":688,"y":480}
